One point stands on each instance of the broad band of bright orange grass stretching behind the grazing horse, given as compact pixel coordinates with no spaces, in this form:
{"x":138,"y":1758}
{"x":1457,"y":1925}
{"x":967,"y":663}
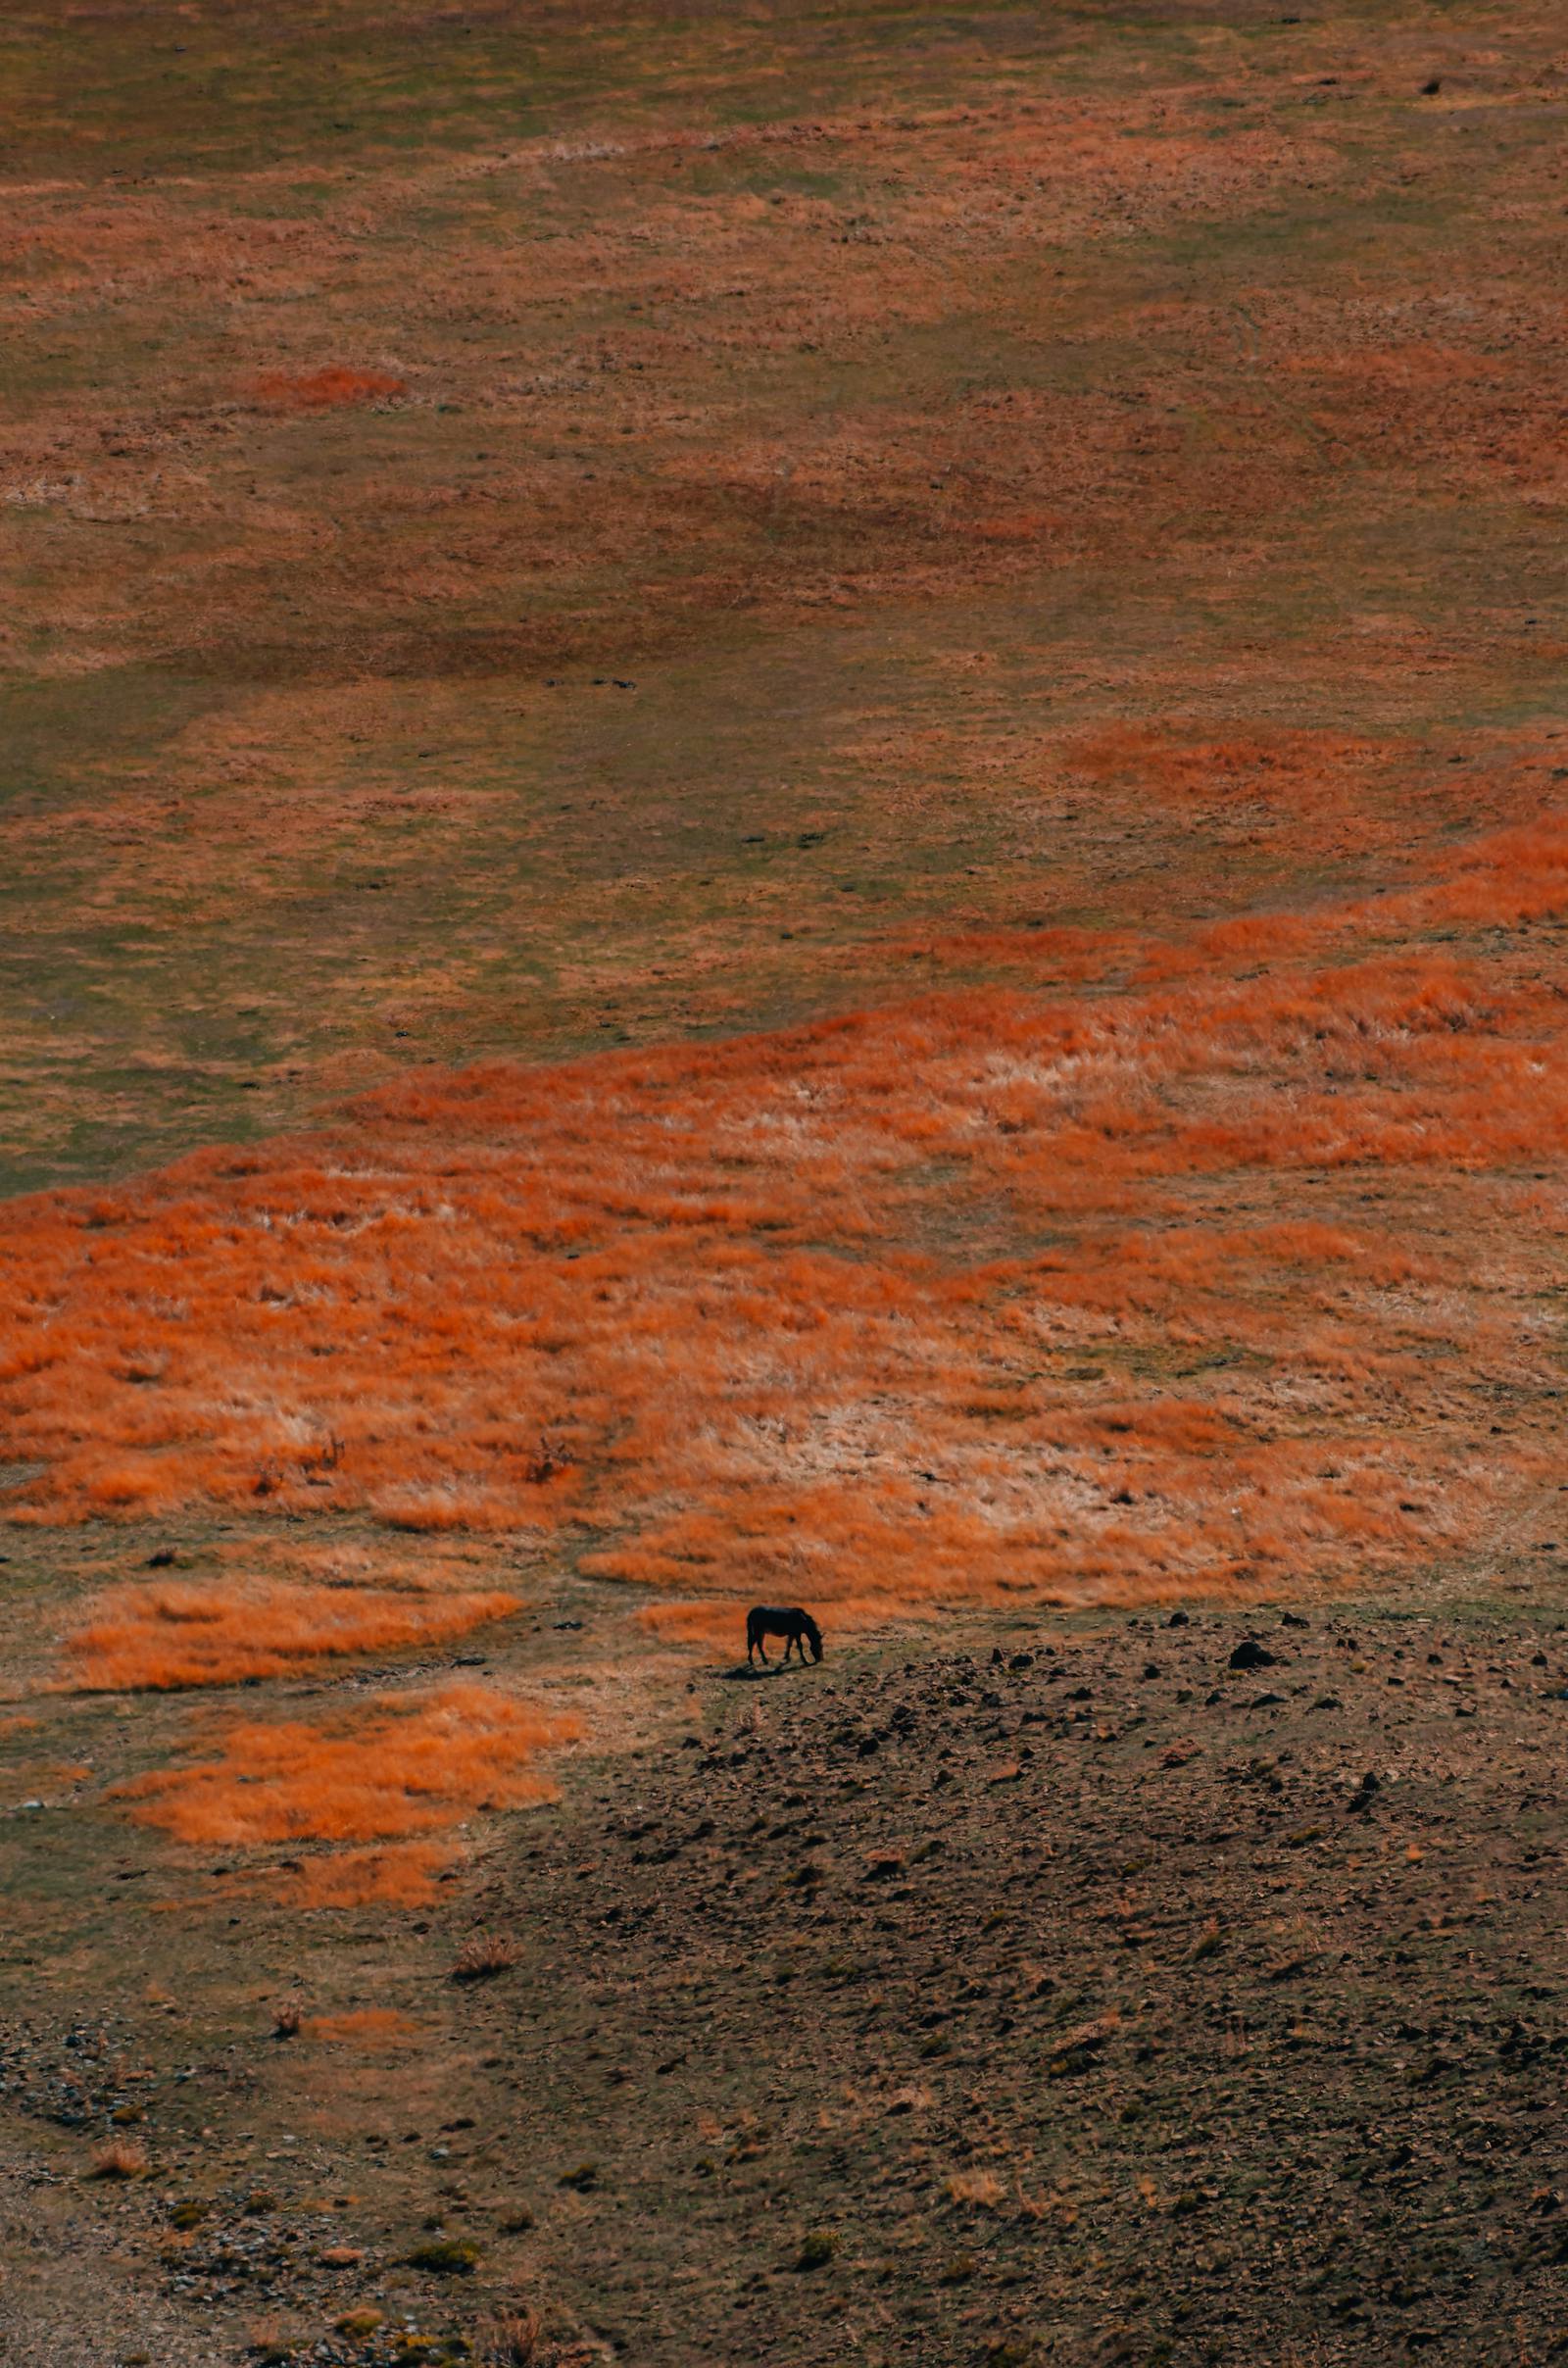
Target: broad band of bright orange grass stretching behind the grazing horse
{"x":1088,"y":1296}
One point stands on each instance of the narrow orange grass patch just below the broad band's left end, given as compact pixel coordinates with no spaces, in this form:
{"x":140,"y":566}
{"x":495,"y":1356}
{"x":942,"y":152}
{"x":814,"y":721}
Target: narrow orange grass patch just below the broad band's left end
{"x":184,"y":1635}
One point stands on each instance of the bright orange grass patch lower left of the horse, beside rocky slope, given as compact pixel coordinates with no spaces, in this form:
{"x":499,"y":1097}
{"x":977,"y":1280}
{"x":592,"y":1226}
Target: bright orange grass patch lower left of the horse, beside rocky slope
{"x":390,"y":1770}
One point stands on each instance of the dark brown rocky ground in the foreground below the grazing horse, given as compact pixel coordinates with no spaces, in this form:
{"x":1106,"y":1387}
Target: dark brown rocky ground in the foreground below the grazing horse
{"x":1067,"y":1997}
